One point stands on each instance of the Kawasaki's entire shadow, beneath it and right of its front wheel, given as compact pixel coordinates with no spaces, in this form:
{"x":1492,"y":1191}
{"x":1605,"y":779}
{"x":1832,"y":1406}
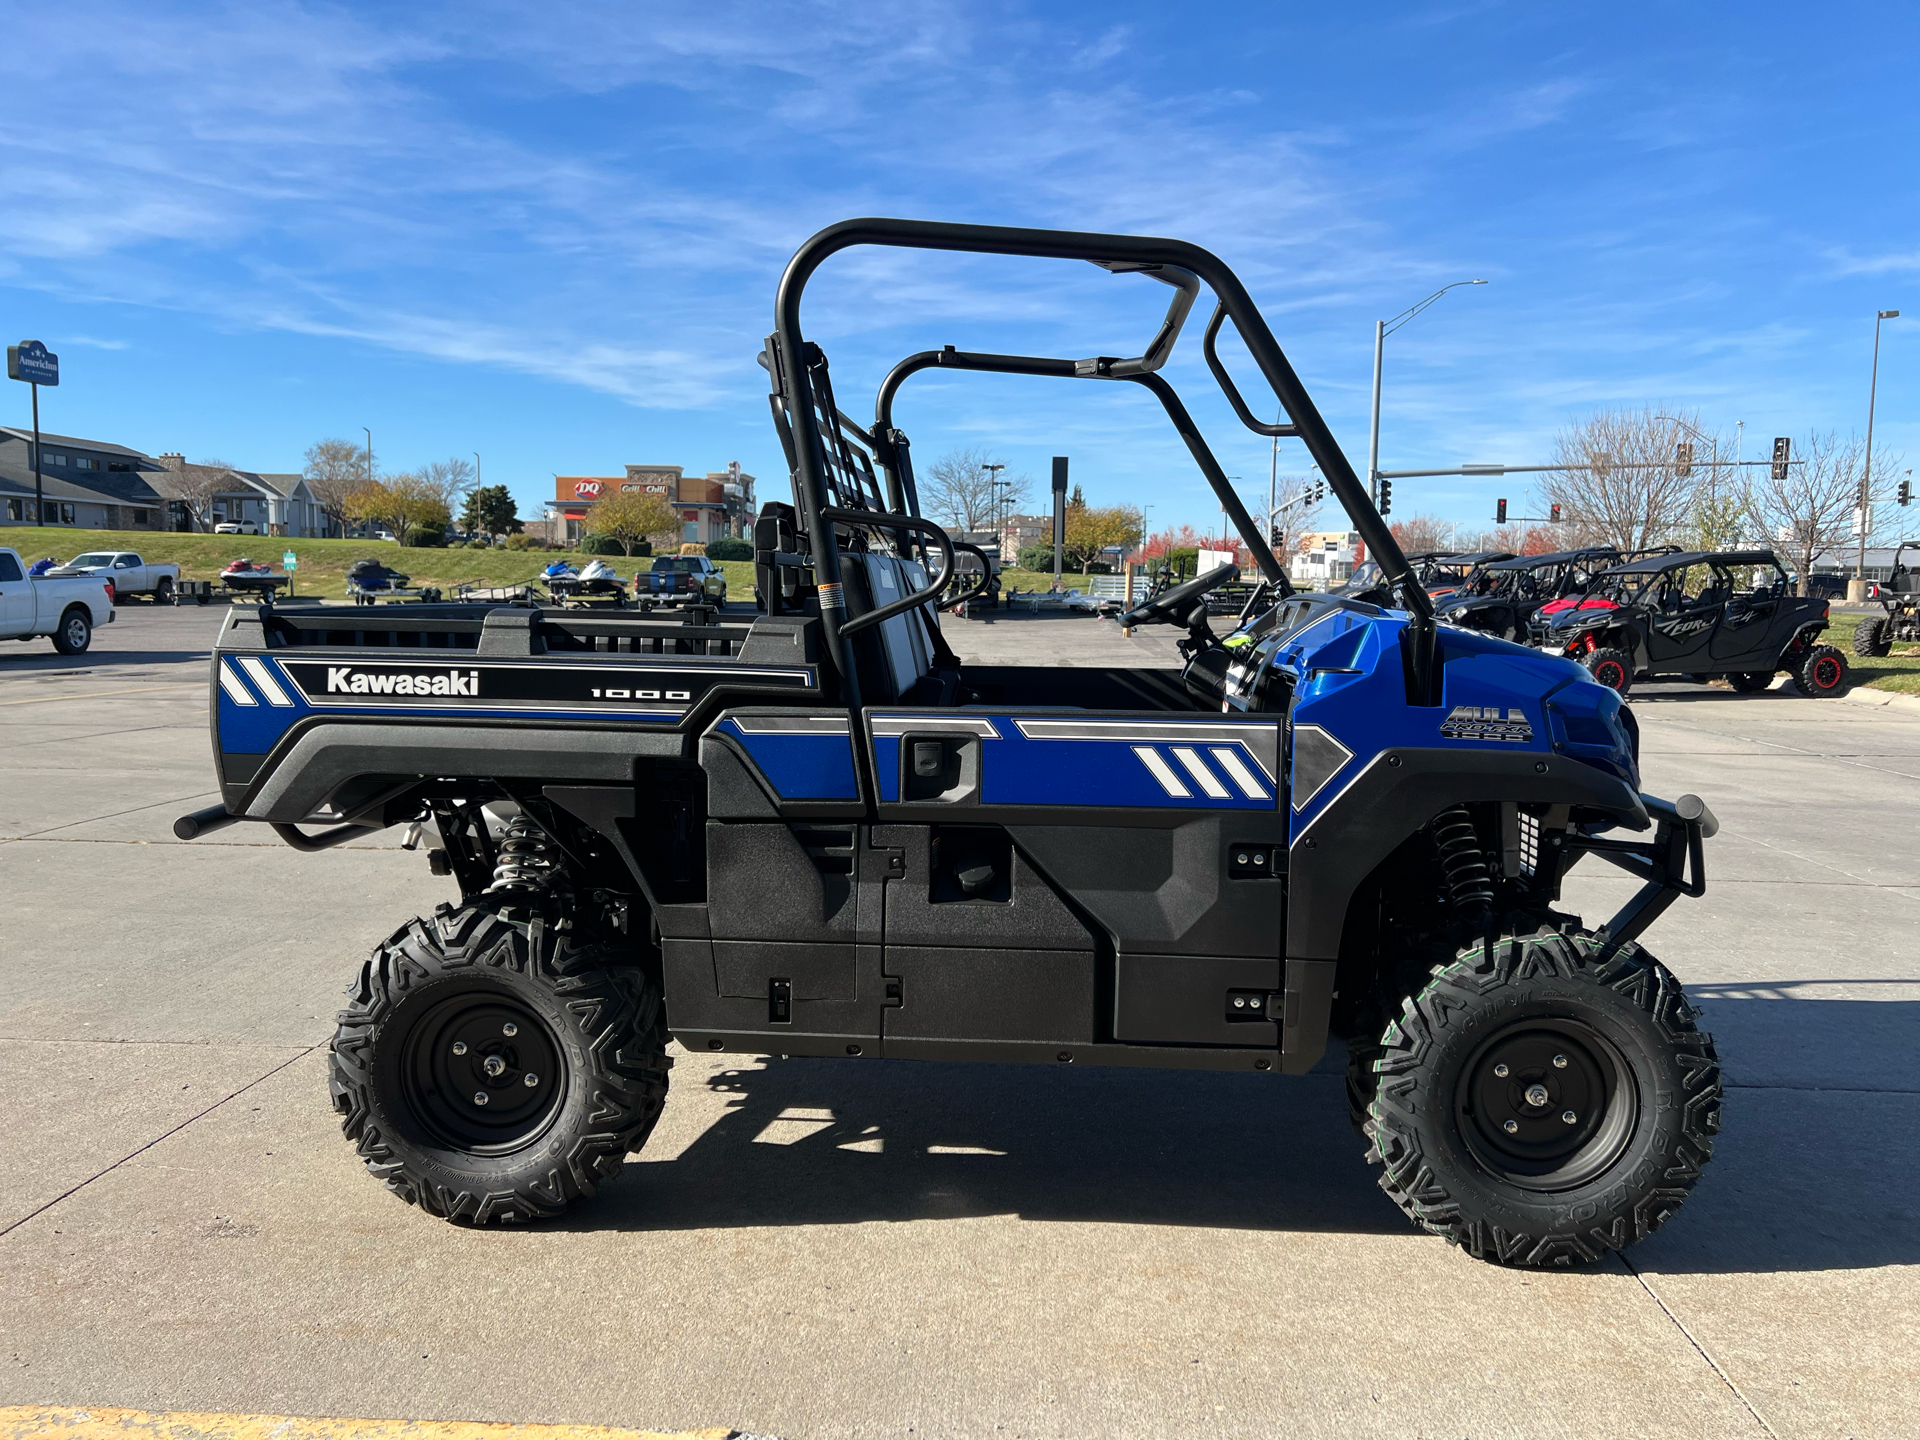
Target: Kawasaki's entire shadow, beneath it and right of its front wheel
{"x":1813,"y":1170}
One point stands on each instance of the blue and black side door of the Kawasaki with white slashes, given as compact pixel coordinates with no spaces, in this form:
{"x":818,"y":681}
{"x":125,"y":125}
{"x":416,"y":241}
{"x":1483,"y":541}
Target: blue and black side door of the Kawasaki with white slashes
{"x":1128,"y":825}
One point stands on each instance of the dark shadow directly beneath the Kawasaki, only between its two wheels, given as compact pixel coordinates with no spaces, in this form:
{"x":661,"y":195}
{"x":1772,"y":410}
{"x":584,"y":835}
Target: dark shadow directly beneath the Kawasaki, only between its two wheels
{"x":834,"y":1143}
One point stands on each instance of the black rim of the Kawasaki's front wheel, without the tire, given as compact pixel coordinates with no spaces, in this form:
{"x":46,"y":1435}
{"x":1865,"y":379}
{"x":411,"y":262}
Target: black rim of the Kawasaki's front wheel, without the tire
{"x":1547,"y":1105}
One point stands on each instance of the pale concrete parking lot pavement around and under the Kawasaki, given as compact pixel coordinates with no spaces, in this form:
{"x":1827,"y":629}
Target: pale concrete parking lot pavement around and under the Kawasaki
{"x":815,"y":1249}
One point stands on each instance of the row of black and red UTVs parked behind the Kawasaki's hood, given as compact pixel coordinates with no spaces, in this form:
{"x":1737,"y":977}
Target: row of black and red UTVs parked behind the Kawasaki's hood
{"x":1650,"y":615}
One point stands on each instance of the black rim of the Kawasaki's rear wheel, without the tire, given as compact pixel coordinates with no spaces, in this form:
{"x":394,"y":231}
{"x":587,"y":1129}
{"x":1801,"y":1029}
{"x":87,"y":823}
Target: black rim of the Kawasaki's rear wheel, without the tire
{"x":483,"y":1044}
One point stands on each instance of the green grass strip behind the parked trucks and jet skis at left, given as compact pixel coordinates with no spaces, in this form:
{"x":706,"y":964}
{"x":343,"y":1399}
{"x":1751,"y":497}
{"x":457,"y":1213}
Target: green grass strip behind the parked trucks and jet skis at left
{"x":324,"y":564}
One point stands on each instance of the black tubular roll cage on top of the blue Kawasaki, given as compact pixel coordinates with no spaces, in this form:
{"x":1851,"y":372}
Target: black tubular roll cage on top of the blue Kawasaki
{"x":1178,"y":264}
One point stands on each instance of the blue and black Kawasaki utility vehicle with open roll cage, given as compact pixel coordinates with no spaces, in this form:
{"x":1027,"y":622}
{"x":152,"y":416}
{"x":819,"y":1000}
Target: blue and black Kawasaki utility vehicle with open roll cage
{"x":815,"y":832}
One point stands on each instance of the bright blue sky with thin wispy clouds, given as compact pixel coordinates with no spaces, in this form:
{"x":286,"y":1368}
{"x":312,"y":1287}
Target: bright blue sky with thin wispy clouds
{"x":550,"y":233}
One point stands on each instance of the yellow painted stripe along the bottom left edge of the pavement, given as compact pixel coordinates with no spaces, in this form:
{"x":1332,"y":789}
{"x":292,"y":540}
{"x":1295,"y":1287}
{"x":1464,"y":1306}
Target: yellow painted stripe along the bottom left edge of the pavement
{"x":101,"y":1424}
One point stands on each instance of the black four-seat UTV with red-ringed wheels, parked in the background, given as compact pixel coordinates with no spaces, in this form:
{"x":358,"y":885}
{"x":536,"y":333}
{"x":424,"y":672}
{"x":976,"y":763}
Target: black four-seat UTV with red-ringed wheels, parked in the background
{"x":1700,"y":615}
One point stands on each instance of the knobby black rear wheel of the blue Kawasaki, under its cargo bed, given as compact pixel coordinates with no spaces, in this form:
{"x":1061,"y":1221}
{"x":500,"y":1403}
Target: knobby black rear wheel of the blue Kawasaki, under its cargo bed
{"x":492,"y":1068}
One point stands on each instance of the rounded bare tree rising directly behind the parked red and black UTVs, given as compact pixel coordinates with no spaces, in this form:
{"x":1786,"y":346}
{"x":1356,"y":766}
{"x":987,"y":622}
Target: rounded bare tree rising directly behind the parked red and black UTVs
{"x":1633,"y":492}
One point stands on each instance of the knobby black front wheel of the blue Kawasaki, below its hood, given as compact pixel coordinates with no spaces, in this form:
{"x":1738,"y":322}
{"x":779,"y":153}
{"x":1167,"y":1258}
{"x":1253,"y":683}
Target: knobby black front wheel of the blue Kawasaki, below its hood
{"x":1477,"y":1080}
